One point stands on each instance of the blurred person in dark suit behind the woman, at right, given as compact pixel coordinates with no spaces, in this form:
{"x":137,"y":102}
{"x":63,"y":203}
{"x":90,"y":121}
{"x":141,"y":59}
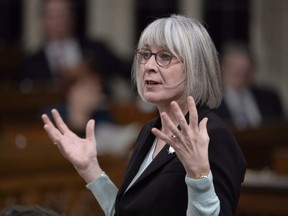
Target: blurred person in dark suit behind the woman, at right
{"x":244,"y":104}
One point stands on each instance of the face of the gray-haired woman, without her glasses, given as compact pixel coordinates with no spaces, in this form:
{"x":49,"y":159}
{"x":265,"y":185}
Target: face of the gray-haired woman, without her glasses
{"x":160,"y":84}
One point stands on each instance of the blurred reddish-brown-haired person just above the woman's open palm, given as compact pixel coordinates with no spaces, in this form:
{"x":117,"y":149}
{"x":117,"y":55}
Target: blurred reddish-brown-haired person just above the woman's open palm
{"x":82,"y":97}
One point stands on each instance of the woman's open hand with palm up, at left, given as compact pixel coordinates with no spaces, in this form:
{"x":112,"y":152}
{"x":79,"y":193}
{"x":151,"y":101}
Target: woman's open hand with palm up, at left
{"x":81,"y":152}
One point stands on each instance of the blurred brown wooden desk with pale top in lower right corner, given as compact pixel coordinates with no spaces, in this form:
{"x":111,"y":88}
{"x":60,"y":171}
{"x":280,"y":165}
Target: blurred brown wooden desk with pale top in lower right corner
{"x":264,"y":193}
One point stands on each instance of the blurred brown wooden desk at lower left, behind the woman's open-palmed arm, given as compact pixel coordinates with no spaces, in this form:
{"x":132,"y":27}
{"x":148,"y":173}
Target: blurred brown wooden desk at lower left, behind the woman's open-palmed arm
{"x":33,"y":172}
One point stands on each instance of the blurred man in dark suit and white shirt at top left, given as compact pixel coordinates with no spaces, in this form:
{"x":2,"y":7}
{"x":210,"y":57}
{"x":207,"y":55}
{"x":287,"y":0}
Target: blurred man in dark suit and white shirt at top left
{"x":62,"y":49}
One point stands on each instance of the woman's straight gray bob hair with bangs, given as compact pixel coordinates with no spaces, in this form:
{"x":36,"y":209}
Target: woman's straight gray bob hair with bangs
{"x":189,"y":41}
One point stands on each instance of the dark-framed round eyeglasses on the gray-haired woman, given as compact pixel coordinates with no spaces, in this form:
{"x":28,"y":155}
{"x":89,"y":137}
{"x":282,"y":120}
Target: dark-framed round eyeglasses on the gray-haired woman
{"x":162,"y":58}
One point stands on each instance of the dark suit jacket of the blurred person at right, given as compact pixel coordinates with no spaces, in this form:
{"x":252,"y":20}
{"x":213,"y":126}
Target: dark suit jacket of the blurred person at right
{"x":268,"y":103}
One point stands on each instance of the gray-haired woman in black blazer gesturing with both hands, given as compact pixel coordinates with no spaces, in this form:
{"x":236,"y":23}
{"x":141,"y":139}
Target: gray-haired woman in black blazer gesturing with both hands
{"x":179,"y":166}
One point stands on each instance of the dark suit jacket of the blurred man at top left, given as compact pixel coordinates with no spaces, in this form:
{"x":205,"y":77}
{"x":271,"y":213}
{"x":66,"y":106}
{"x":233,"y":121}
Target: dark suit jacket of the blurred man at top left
{"x":36,"y":67}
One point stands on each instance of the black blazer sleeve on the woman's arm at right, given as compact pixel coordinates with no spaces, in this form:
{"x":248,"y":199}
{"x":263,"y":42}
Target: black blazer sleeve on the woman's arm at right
{"x":228,"y":168}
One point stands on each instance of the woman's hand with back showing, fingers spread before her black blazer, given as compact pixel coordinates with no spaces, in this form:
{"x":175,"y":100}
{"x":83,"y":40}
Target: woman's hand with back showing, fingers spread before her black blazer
{"x":190,"y":142}
